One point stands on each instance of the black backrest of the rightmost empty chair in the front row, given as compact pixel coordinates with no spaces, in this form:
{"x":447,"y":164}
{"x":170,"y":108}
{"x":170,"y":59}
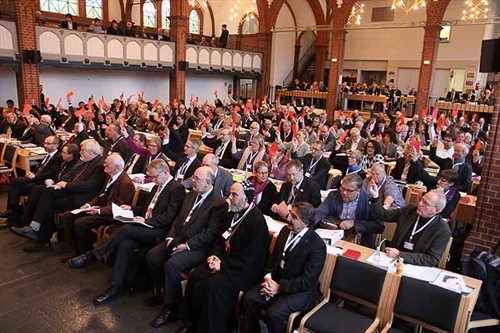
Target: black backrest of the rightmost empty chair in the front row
{"x":417,"y":302}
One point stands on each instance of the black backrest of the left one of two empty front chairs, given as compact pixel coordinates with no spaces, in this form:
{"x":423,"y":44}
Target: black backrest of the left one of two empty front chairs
{"x":358,"y":279}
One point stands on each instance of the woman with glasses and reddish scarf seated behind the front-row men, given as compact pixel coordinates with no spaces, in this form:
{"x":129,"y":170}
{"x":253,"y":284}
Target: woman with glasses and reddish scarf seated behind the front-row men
{"x":266,"y":193}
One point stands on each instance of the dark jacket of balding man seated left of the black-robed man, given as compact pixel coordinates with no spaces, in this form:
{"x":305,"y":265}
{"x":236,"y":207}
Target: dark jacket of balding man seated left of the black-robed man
{"x":201,"y":230}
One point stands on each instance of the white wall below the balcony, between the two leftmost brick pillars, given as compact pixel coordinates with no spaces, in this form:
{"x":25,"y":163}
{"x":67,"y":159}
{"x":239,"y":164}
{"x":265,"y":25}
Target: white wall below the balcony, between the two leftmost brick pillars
{"x":109,"y":83}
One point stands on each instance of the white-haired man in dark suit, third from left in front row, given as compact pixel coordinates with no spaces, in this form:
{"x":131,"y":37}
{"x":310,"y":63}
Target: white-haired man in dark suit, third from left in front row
{"x":65,"y":195}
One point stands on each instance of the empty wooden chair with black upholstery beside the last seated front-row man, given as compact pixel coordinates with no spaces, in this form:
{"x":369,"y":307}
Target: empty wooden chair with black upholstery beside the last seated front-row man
{"x":355,"y":281}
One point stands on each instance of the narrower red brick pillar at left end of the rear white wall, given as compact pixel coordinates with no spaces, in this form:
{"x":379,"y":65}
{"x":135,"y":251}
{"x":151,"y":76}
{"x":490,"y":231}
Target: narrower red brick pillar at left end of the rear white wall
{"x":337,"y":46}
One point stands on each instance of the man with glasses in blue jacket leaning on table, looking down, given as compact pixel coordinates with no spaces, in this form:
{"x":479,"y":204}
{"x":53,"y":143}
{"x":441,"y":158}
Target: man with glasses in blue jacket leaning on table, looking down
{"x":350,"y":205}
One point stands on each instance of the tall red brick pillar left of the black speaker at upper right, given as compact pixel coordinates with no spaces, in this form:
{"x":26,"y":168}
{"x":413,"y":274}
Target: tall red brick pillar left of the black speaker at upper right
{"x":435,"y":12}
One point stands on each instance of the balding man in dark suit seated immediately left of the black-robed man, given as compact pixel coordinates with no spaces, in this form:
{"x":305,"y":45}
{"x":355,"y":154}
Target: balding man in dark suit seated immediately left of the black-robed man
{"x":187,"y":242}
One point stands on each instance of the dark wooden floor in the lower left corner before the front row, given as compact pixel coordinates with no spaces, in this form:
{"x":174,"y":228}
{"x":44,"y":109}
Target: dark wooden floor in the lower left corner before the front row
{"x":40,"y":294}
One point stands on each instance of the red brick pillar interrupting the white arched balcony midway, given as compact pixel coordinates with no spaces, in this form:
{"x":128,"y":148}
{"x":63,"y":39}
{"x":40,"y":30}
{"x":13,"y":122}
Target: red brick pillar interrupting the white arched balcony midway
{"x":179,"y":28}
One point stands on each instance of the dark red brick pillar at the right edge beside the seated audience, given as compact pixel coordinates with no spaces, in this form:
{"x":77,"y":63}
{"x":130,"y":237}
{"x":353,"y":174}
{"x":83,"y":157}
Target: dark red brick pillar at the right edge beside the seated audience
{"x":486,"y":230}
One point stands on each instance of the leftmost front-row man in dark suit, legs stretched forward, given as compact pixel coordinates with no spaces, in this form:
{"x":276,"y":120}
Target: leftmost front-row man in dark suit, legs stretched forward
{"x":20,"y":186}
